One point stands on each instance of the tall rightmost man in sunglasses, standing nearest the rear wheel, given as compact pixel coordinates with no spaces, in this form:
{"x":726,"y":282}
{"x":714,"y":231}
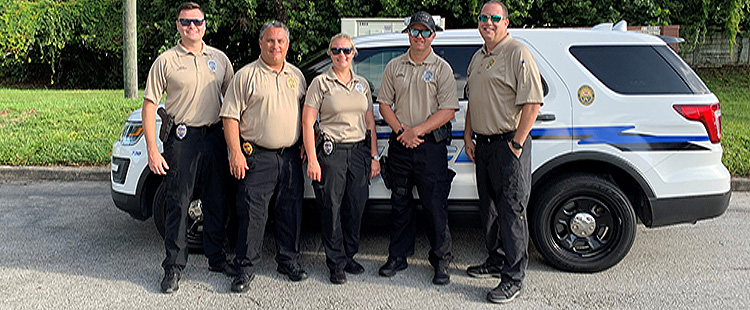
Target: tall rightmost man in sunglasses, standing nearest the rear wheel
{"x":505,"y":93}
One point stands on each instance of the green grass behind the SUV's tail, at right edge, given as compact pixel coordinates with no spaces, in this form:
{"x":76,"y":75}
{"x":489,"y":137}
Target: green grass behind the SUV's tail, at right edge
{"x":732,"y":87}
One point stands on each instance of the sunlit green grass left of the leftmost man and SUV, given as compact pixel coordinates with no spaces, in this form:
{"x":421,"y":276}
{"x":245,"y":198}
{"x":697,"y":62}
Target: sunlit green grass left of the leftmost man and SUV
{"x":60,"y":127}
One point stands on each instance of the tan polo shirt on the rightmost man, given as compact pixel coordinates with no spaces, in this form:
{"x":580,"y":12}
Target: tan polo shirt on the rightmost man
{"x":498,"y":84}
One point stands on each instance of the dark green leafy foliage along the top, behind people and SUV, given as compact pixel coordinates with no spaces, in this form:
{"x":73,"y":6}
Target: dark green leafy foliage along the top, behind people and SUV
{"x":78,"y":43}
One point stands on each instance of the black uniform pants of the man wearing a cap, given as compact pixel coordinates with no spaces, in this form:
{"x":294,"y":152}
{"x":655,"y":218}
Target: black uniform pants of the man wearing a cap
{"x":425,"y":167}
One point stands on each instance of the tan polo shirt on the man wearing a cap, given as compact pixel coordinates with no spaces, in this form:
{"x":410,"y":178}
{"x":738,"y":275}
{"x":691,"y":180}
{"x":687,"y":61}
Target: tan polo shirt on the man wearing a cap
{"x":416,"y":91}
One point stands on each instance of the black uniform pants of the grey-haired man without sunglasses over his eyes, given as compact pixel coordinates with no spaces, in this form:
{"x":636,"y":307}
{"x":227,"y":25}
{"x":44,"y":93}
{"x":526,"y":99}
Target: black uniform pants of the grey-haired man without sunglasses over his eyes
{"x":273,"y":175}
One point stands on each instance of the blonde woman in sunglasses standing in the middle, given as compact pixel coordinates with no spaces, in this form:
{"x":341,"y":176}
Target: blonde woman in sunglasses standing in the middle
{"x":343,"y":160}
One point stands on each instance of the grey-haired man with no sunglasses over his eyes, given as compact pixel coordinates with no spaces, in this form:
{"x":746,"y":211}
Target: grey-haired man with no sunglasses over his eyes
{"x":261,"y":115}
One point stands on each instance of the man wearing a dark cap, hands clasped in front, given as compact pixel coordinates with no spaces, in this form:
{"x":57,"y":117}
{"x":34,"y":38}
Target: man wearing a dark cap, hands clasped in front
{"x":417,"y":98}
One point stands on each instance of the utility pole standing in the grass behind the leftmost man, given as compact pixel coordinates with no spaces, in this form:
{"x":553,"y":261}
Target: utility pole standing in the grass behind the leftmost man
{"x":129,"y":51}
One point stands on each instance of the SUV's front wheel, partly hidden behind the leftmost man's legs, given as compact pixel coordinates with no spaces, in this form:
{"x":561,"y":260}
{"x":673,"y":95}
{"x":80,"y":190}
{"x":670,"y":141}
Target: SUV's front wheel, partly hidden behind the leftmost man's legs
{"x":194,"y":224}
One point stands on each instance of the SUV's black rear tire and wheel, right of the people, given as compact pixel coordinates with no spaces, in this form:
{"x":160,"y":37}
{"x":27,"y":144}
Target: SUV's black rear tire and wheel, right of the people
{"x":577,"y":245}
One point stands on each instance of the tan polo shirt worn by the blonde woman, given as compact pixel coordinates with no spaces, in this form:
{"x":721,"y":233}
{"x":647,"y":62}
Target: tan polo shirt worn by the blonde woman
{"x":341,"y":107}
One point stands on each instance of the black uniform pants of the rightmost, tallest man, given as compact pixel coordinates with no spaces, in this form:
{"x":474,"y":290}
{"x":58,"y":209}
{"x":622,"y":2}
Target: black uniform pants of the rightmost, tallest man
{"x":504,"y":185}
